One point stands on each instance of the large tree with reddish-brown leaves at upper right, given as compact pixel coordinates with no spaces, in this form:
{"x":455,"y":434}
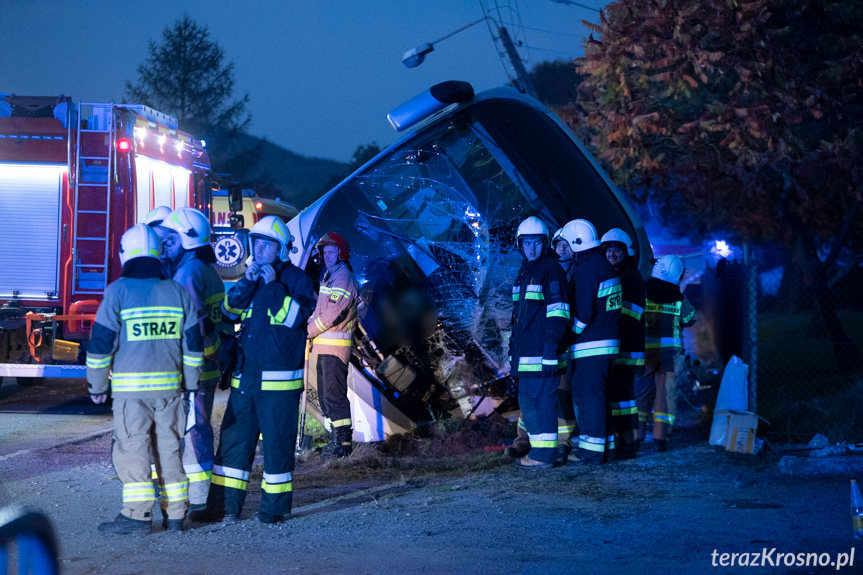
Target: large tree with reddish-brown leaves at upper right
{"x":731,"y":116}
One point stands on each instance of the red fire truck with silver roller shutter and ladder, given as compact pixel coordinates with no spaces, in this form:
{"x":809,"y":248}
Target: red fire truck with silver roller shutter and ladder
{"x":73,"y":178}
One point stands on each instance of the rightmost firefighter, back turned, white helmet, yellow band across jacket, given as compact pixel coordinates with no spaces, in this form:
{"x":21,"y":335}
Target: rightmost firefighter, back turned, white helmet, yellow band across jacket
{"x":667,"y":311}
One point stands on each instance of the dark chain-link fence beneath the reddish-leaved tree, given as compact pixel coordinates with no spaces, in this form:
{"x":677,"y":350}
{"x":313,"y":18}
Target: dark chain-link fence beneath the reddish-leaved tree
{"x":800,"y":329}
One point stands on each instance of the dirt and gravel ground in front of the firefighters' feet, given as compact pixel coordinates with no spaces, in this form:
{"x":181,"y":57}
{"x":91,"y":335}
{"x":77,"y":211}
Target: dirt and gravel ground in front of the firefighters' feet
{"x":449,"y":506}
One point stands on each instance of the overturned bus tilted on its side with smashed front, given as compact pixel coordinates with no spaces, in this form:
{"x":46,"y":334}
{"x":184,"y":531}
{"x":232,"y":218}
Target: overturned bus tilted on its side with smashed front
{"x":431,"y":221}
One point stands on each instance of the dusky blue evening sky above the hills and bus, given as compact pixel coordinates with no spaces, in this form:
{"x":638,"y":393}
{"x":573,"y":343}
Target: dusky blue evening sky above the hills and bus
{"x":321,"y":75}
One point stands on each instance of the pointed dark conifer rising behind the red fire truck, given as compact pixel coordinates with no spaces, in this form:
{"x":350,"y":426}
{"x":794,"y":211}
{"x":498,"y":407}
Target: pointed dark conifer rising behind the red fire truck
{"x":185,"y":75}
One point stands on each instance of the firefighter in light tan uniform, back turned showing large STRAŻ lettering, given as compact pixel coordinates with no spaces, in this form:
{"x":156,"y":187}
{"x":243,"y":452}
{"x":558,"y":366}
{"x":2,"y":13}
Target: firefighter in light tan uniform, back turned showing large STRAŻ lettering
{"x":145,"y":339}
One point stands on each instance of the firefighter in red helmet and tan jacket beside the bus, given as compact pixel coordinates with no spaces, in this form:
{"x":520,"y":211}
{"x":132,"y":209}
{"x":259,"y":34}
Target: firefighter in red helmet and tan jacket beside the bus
{"x":330,"y":330}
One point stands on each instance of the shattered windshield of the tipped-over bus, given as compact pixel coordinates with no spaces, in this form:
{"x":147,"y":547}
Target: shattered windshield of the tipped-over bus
{"x":432,"y":231}
